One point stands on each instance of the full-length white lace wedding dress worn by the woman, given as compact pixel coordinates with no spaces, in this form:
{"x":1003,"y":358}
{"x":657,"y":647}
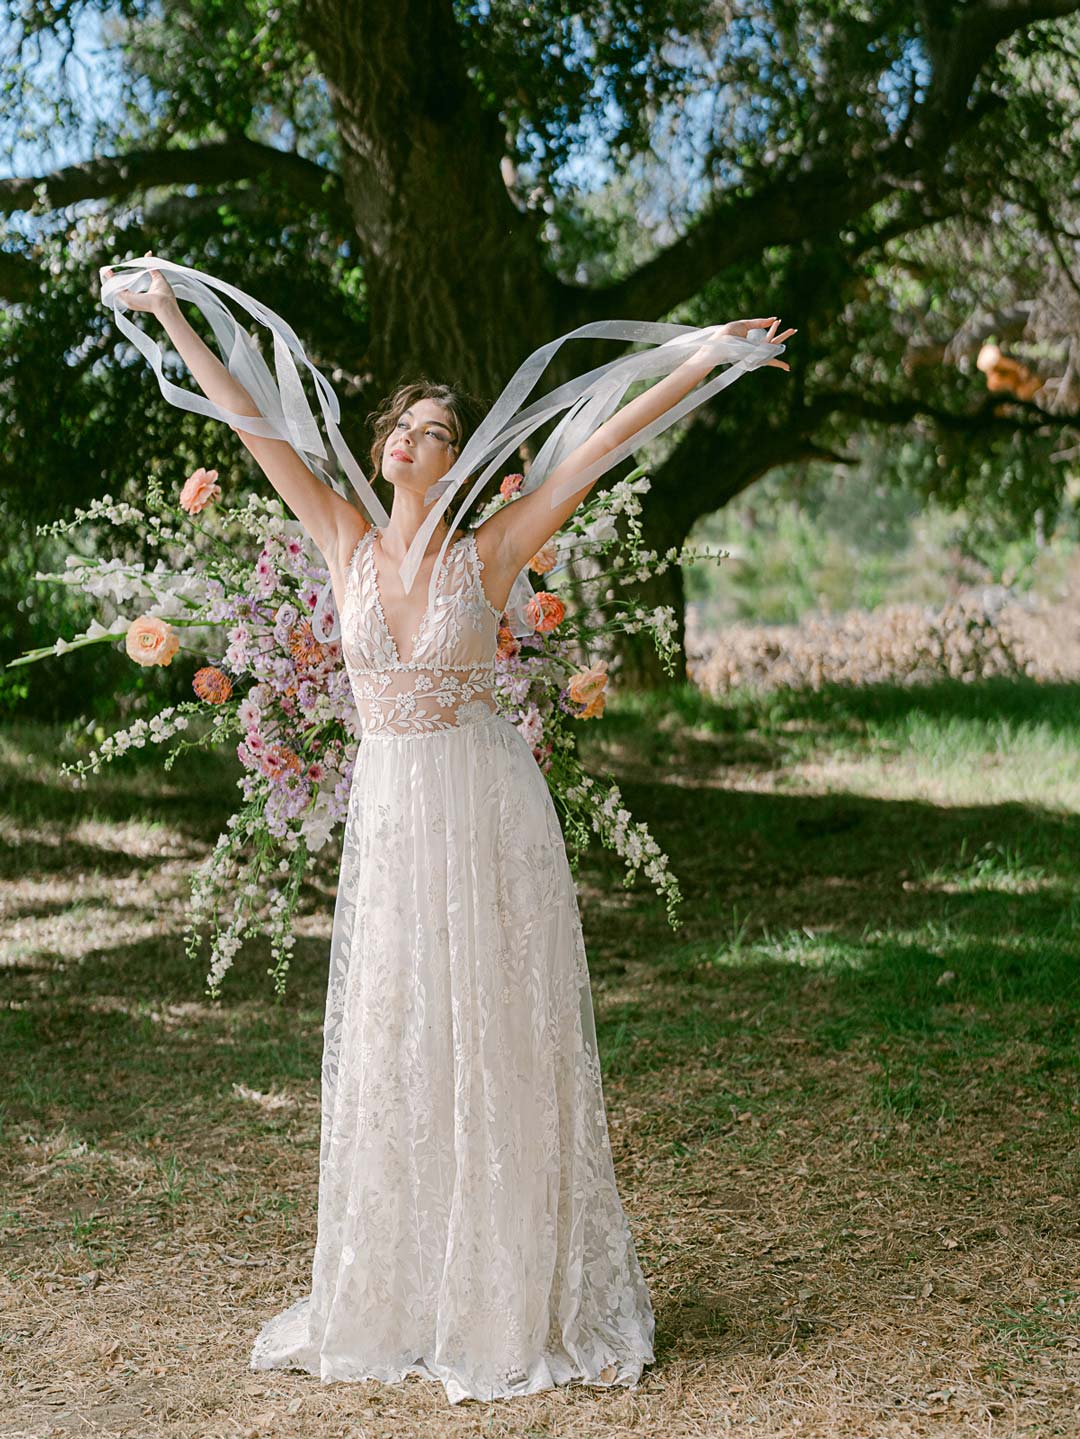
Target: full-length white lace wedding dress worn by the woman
{"x":470,"y":1225}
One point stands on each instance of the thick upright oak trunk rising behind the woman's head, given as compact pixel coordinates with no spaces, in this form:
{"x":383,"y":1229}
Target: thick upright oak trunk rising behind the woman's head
{"x":454,"y":270}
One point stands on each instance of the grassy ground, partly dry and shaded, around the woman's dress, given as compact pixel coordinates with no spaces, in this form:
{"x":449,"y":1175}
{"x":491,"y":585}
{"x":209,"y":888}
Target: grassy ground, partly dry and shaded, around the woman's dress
{"x":845,"y":1097}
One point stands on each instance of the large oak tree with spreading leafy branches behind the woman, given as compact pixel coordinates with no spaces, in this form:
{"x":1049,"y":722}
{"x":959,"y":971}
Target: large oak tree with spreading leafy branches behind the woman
{"x":403,"y":183}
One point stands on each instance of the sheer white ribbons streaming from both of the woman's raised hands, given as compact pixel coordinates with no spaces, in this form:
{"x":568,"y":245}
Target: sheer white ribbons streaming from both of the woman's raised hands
{"x":589,"y":399}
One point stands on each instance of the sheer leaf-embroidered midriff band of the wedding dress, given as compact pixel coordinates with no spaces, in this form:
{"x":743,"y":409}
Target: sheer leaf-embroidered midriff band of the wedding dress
{"x":422,"y":702}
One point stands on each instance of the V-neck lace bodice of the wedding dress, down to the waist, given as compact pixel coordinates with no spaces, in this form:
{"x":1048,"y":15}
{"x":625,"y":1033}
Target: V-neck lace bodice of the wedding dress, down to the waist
{"x":449,"y":678}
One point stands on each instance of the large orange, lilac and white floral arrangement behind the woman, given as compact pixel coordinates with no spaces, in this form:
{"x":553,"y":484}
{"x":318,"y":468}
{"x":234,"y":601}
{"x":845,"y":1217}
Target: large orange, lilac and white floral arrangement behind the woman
{"x":239,"y":595}
